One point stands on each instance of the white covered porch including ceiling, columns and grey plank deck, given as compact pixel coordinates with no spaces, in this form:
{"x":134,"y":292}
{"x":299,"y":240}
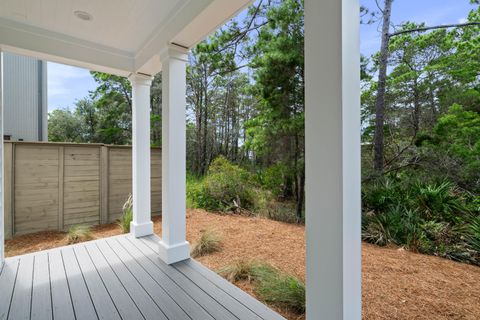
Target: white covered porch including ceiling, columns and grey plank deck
{"x":141,"y":275}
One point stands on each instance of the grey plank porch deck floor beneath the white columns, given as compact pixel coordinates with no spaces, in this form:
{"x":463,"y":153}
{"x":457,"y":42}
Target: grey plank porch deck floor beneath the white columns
{"x":118,"y":278}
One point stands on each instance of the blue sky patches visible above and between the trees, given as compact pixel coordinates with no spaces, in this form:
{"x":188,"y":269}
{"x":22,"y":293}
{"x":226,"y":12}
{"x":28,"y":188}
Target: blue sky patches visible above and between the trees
{"x":67,"y":84}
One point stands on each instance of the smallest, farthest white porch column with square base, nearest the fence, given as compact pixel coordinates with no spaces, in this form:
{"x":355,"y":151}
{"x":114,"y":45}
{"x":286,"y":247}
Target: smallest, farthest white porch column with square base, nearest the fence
{"x":141,"y":224}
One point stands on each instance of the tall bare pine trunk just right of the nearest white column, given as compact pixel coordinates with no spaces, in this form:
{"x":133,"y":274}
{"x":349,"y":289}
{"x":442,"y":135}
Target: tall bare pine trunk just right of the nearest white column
{"x":380,"y":101}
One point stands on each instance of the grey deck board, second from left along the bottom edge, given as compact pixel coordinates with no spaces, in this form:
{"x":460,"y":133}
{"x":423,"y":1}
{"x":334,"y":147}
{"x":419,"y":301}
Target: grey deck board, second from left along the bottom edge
{"x":20,"y":305}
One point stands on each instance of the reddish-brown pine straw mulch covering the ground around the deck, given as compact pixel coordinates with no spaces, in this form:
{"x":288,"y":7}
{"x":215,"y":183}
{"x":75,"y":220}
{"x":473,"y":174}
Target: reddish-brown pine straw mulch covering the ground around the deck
{"x":396,"y":284}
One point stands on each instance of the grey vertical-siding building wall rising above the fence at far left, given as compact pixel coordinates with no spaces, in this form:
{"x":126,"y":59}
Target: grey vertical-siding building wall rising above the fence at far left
{"x":25,"y":98}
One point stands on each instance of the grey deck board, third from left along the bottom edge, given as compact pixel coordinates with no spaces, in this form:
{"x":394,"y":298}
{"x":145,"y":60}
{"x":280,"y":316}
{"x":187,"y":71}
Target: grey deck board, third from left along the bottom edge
{"x":41,"y":295}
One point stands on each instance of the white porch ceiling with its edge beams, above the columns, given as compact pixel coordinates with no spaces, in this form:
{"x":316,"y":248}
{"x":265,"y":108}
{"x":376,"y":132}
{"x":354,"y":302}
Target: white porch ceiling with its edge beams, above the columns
{"x":122,"y":36}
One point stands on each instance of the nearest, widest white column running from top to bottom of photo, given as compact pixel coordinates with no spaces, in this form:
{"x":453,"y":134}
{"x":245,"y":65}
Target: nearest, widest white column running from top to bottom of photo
{"x":332,"y":124}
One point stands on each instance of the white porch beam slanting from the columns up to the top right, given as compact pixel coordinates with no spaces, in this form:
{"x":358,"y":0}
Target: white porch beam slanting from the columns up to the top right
{"x":194,"y":22}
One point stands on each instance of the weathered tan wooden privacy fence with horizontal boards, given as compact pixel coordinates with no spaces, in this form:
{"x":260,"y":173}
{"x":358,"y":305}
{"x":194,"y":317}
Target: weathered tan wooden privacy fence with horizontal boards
{"x":52,"y":186}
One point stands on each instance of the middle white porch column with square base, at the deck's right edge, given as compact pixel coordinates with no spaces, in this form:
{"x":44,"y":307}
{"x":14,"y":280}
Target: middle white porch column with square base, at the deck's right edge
{"x":173,"y":246}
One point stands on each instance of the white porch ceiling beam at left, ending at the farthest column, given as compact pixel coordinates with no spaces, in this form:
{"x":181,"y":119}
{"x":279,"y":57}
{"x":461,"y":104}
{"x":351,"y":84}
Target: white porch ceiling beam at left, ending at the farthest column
{"x":46,"y":45}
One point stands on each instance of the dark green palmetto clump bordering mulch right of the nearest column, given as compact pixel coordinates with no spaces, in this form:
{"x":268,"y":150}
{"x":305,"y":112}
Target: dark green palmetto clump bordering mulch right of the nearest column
{"x":423,"y":216}
